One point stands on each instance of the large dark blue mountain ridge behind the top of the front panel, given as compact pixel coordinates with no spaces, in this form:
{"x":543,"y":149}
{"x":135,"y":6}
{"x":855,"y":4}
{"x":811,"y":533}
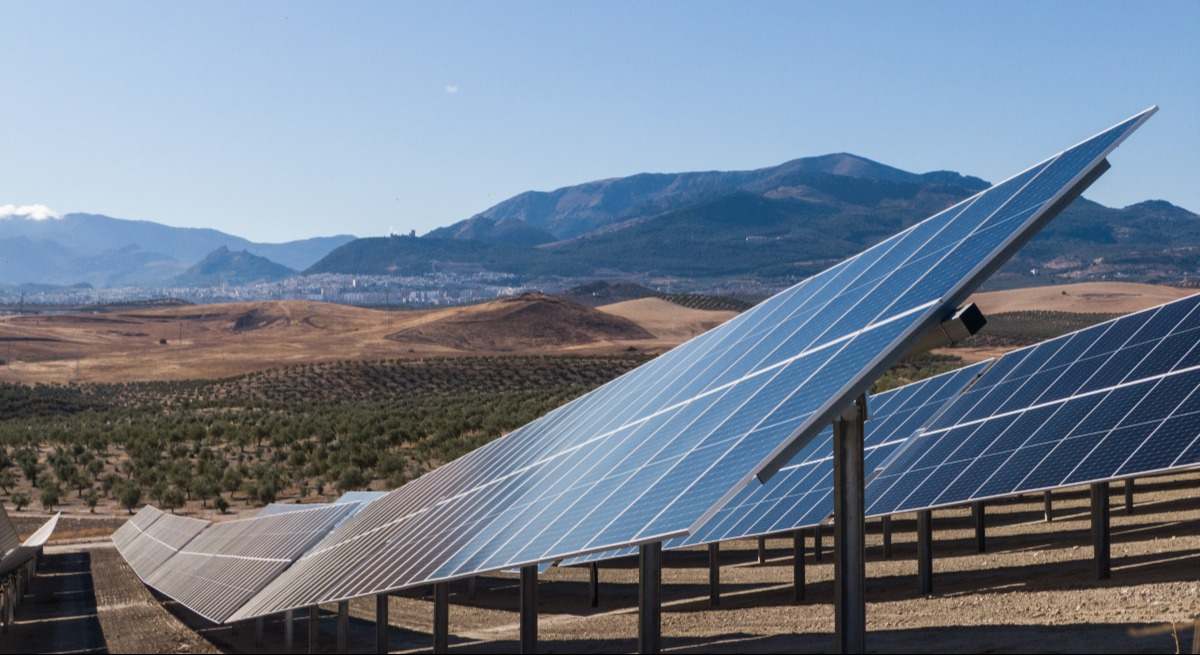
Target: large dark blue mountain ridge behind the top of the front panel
{"x":782,"y":223}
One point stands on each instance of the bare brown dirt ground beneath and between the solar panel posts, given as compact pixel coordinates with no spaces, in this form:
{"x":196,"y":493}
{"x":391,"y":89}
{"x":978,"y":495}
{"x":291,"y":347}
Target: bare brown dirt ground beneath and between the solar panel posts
{"x":1034,"y":591}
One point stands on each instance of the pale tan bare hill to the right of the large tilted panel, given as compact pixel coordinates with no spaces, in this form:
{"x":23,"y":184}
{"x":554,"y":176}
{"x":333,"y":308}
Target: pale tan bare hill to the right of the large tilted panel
{"x":1091,"y":298}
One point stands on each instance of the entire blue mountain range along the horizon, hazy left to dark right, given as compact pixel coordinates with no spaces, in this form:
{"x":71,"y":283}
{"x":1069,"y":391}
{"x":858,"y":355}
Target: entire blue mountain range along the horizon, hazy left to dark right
{"x":777,"y":225}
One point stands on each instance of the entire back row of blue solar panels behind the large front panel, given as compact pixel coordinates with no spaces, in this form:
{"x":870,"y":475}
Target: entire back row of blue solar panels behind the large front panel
{"x":1117,"y":400}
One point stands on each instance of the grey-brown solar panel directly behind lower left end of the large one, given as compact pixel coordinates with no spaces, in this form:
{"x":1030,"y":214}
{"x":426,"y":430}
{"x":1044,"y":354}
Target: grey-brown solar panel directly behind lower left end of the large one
{"x":230,"y":562}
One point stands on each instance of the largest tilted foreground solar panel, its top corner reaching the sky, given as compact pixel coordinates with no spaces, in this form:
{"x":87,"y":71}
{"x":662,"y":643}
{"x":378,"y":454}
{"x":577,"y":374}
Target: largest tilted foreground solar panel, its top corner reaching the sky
{"x":651,"y":454}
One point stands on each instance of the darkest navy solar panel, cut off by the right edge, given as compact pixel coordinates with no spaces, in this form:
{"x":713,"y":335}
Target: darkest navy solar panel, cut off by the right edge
{"x":1114,"y":401}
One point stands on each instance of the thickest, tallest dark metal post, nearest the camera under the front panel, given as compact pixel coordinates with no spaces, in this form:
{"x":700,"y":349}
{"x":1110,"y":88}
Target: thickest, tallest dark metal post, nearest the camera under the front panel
{"x":850,"y":530}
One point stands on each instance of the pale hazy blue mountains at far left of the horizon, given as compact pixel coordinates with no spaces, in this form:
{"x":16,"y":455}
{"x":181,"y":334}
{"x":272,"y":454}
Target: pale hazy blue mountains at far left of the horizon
{"x":107,"y":253}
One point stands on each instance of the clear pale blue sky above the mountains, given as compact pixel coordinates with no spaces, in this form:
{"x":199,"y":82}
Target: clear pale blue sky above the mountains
{"x":281,"y":121}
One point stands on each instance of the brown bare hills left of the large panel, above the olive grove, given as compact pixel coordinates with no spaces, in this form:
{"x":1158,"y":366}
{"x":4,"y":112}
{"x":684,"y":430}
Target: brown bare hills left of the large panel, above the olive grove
{"x":218,"y":341}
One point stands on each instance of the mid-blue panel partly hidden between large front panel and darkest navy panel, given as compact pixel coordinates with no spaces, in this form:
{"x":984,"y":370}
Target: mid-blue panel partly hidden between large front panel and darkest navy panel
{"x":801,"y":495}
